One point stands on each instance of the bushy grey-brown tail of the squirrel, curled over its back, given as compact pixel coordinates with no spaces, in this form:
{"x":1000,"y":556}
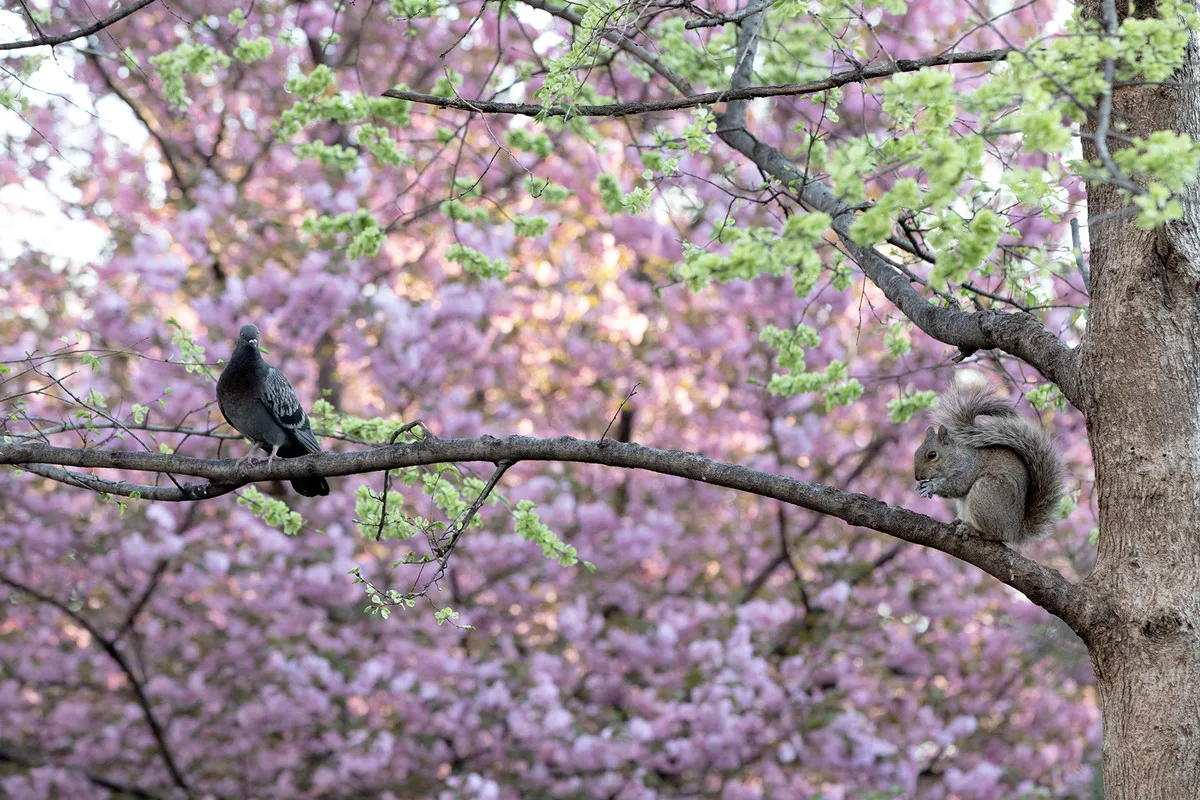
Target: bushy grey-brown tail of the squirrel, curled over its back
{"x":1010,"y":430}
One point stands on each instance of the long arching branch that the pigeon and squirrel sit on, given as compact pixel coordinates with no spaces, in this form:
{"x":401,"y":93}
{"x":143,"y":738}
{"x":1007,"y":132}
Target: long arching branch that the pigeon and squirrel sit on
{"x":1043,"y":586}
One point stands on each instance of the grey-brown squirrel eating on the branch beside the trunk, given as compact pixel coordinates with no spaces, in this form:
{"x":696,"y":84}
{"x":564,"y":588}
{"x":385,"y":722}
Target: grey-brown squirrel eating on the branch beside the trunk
{"x":1005,"y":476}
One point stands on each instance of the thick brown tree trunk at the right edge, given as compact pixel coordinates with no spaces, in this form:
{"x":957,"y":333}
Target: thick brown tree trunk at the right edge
{"x":1141,"y":374}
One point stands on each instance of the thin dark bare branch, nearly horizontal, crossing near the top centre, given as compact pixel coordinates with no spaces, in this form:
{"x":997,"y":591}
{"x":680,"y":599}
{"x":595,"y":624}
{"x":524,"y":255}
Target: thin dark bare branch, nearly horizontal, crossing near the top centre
{"x":705,"y":99}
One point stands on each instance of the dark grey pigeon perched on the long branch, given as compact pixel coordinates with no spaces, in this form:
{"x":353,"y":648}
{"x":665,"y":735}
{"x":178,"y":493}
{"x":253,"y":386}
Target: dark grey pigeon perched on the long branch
{"x":261,"y":405}
